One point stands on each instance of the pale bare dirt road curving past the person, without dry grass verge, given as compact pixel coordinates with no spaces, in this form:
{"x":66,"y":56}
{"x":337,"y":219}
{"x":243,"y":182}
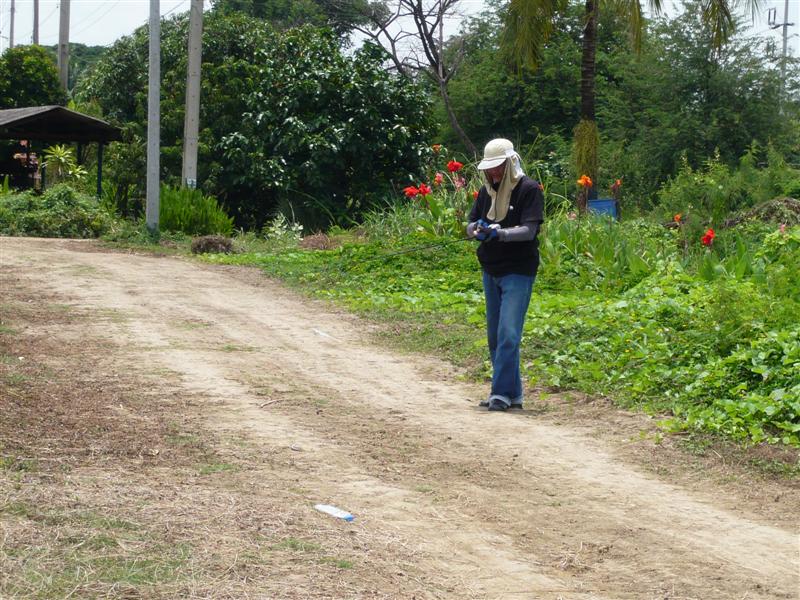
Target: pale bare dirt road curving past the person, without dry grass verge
{"x":450,"y":501}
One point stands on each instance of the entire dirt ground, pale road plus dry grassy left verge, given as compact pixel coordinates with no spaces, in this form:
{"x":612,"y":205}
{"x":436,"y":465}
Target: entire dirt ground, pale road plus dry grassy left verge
{"x":167,"y":427}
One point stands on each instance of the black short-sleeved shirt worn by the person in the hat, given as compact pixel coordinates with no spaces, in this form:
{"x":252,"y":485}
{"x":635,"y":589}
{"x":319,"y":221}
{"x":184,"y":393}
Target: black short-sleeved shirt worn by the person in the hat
{"x":506,"y":258}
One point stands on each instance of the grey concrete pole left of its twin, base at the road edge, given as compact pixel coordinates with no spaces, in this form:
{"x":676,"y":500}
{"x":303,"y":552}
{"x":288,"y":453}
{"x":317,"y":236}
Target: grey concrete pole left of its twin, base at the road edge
{"x":153,"y":119}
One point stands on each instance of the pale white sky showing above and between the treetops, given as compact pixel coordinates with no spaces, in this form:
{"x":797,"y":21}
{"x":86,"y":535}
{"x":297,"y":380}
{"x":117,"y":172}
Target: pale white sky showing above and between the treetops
{"x":101,"y":22}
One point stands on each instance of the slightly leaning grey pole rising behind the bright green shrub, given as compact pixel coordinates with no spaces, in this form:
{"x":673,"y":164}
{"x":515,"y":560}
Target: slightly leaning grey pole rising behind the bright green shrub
{"x":191,"y":124}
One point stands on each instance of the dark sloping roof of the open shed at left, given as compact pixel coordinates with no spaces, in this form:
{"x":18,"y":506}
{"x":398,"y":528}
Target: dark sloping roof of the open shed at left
{"x":55,"y":124}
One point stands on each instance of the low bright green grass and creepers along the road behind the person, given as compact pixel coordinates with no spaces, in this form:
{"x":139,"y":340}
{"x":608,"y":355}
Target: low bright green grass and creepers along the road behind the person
{"x":632,"y":310}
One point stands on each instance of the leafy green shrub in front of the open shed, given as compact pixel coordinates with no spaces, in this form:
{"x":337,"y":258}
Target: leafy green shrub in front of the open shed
{"x":59,"y":212}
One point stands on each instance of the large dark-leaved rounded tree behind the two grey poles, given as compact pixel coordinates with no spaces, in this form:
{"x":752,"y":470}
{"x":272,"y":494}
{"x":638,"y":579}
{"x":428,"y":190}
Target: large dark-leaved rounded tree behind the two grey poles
{"x":288,"y":121}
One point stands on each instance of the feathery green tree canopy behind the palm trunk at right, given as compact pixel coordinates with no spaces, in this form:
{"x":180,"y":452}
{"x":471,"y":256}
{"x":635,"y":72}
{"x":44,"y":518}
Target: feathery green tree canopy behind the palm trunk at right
{"x":678,"y":97}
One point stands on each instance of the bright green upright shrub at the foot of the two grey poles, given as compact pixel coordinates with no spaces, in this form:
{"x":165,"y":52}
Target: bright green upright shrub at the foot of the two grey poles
{"x":189,"y":211}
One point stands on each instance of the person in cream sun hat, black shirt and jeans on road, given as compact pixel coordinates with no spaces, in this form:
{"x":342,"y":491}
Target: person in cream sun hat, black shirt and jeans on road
{"x":505,"y":218}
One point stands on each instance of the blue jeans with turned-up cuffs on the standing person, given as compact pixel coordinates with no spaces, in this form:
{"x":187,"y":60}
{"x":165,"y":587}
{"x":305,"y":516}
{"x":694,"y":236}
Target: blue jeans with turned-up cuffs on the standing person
{"x":507,"y":300}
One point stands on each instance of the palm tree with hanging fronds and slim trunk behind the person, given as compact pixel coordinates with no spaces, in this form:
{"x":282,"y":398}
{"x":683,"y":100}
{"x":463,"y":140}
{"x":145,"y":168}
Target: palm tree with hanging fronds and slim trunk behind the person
{"x":530,"y":22}
